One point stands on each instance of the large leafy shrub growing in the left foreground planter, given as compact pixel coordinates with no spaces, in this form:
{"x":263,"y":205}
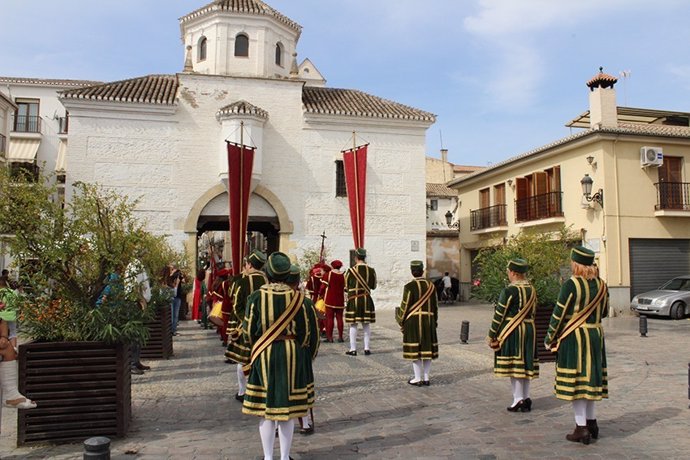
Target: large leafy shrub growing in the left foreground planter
{"x":67,"y":255}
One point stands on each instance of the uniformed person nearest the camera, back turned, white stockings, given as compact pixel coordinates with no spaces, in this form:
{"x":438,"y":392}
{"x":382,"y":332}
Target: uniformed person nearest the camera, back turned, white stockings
{"x":278,"y":328}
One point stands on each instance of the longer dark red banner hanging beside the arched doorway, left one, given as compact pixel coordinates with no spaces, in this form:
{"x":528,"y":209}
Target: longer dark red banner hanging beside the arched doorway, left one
{"x":240,"y":163}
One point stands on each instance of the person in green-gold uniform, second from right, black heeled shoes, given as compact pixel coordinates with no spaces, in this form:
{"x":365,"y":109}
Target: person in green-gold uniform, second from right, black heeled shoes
{"x":513,"y":335}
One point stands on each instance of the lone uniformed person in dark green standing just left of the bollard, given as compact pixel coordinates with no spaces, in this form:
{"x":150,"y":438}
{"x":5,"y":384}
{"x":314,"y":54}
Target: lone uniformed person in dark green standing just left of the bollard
{"x":417,"y":316}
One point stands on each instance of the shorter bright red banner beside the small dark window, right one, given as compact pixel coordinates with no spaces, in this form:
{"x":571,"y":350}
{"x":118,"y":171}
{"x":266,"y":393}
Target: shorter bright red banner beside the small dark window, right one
{"x":355,"y":163}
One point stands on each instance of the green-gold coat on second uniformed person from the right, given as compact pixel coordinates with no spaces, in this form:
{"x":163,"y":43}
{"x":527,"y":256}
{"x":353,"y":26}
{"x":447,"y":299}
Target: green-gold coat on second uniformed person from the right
{"x":517,"y":356}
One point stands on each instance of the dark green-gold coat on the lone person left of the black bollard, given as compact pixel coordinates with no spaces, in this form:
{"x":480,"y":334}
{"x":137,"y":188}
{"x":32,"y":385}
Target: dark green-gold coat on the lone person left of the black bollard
{"x":417,"y":316}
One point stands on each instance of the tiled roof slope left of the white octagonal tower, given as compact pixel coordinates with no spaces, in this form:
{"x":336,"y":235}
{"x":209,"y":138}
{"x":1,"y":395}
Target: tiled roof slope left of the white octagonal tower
{"x":151,"y":89}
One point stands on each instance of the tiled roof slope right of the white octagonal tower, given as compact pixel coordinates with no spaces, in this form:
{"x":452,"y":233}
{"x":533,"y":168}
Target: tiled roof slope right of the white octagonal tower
{"x":349,"y":102}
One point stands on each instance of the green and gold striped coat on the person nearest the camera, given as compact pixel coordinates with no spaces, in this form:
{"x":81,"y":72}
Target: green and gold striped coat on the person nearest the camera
{"x":279,"y":386}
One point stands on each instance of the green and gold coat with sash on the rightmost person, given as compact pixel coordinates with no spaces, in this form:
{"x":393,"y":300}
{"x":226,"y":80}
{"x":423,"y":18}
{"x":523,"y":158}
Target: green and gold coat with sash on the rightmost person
{"x":581,"y":363}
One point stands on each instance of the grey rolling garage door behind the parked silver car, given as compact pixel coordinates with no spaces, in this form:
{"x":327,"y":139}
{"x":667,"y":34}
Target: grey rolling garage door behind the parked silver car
{"x":653,"y":262}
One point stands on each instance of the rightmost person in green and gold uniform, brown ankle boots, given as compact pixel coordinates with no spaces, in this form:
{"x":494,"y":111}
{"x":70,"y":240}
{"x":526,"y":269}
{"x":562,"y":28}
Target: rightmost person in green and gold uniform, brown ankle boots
{"x":576,"y":334}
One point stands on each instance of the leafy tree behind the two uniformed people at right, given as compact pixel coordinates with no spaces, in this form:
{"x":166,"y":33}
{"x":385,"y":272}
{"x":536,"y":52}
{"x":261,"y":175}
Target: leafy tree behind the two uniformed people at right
{"x":546,"y":253}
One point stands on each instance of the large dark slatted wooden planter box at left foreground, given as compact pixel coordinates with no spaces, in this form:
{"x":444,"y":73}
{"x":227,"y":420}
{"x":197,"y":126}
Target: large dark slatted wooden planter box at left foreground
{"x":83,"y":389}
